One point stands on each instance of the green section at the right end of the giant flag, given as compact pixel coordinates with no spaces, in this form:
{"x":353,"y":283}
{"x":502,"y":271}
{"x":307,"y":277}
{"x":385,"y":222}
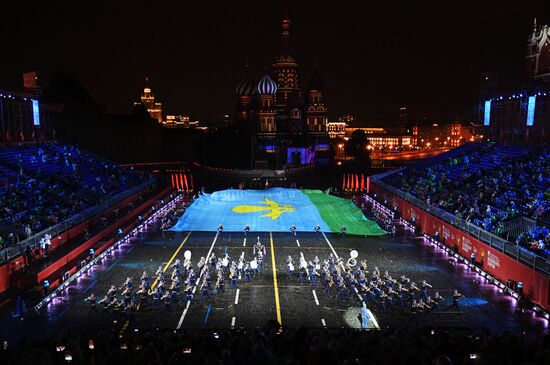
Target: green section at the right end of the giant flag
{"x":338,"y":212}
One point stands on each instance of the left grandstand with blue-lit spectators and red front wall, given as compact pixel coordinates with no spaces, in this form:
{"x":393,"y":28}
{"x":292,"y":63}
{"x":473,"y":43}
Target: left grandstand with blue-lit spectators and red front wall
{"x":59,"y":202}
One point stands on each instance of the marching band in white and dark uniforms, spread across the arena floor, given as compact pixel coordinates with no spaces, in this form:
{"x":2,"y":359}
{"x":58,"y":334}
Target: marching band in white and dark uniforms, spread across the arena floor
{"x":336,"y":276}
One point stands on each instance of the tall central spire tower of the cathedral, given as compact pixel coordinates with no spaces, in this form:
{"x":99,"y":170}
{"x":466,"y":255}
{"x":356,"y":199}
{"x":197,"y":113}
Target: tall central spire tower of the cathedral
{"x":285,"y":69}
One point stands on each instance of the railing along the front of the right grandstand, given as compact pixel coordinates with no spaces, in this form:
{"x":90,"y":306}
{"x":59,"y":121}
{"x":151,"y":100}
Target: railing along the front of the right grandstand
{"x":511,"y":249}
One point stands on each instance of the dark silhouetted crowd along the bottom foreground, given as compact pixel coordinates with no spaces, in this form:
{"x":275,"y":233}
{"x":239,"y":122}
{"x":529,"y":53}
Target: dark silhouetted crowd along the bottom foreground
{"x":268,"y":346}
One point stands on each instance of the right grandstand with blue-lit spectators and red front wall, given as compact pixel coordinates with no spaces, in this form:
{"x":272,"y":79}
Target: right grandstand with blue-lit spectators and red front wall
{"x":485,"y":204}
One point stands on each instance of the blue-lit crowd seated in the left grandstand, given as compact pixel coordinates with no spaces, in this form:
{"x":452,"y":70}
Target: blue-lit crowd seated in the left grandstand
{"x":48,"y":183}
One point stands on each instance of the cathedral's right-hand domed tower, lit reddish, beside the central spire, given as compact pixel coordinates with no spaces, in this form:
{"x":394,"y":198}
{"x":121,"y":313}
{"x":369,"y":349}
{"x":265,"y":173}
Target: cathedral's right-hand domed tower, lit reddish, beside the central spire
{"x":316,"y":110}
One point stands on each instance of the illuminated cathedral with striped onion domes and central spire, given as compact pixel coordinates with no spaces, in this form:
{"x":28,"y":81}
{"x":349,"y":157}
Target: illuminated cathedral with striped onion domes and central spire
{"x":288,"y":125}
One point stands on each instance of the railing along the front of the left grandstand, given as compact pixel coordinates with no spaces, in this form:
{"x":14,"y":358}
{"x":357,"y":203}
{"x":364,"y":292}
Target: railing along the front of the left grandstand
{"x":11,"y":252}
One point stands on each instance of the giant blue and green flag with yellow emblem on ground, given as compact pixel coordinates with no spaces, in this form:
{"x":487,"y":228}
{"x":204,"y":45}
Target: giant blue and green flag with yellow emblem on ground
{"x":275,"y":210}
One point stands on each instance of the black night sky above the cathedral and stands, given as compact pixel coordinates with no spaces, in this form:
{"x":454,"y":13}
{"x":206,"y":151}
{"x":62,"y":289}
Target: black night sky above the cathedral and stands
{"x":374,"y":55}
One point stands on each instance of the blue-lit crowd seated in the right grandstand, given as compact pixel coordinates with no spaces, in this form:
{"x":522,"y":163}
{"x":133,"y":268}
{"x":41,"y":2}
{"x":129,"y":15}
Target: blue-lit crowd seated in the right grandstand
{"x":488,"y":188}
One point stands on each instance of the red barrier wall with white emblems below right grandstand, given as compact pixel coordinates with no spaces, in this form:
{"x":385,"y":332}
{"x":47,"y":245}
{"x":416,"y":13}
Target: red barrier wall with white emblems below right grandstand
{"x":535,"y":285}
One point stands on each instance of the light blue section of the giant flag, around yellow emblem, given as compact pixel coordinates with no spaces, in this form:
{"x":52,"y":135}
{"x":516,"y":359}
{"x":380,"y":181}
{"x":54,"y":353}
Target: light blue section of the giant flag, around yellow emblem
{"x":209,"y":210}
